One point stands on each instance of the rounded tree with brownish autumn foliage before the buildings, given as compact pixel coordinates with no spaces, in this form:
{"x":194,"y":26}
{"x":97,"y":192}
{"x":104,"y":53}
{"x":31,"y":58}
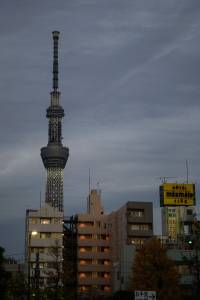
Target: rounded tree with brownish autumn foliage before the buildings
{"x":154,"y":271}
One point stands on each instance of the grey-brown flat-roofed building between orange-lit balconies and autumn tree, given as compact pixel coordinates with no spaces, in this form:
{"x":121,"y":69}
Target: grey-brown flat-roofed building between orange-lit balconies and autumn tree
{"x":131,"y":225}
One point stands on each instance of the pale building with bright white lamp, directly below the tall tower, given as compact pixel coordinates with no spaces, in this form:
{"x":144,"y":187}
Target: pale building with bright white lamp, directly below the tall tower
{"x":44,"y":246}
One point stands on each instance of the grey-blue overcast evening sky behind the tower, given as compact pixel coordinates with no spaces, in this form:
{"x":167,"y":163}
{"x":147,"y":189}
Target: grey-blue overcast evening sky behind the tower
{"x":130,"y":87}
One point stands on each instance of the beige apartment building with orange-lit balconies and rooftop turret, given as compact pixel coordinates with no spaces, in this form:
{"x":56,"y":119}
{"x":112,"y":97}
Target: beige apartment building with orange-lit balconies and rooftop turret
{"x":93,"y":249}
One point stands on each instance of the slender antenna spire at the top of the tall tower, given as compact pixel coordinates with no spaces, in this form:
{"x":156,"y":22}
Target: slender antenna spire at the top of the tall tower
{"x":55,"y":59}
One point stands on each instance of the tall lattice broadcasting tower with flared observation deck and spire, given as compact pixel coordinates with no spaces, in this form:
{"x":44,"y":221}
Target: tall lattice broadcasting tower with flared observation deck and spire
{"x":55,"y":155}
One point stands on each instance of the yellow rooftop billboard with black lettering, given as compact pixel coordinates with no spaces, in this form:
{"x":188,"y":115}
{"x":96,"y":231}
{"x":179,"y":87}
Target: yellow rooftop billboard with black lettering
{"x":177,"y":194}
